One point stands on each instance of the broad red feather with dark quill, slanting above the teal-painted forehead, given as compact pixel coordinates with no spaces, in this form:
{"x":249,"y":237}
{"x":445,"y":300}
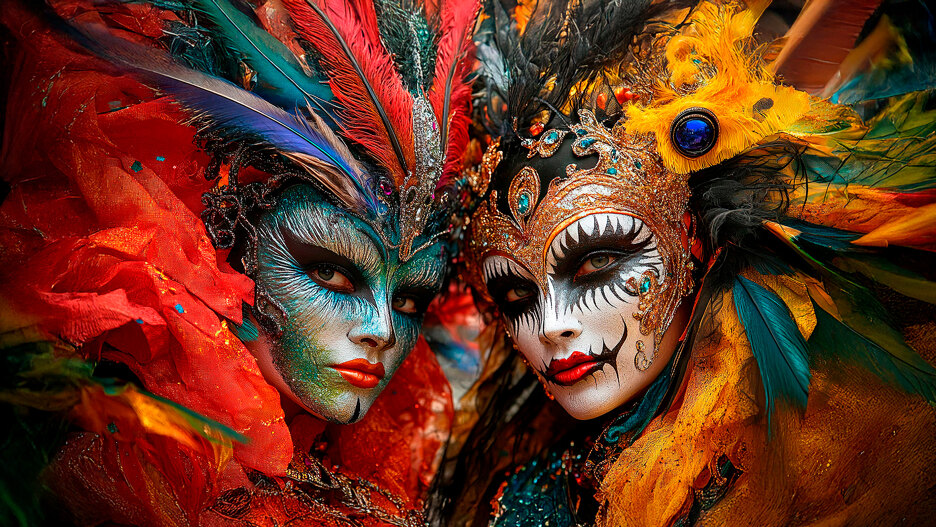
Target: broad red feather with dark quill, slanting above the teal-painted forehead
{"x":356,"y":22}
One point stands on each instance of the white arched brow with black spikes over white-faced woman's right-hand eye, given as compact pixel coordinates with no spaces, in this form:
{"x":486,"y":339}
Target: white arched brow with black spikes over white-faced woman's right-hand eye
{"x":631,"y":232}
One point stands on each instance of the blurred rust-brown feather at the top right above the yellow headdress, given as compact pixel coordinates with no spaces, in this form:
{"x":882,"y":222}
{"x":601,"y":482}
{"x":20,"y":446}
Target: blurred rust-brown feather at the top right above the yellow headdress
{"x":820,"y":39}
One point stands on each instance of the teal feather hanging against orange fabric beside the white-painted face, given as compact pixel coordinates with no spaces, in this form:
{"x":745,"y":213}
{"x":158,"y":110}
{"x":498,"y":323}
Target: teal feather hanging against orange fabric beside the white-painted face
{"x":779,"y":348}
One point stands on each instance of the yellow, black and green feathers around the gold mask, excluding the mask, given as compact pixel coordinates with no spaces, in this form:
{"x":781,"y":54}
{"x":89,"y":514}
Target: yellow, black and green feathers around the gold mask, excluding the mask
{"x":787,"y":168}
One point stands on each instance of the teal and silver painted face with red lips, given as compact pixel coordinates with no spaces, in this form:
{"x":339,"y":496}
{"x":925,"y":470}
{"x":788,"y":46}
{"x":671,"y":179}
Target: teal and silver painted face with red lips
{"x":352,"y":309}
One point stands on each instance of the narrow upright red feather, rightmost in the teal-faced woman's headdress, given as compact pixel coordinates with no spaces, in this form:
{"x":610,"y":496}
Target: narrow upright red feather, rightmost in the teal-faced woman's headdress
{"x":453,"y":64}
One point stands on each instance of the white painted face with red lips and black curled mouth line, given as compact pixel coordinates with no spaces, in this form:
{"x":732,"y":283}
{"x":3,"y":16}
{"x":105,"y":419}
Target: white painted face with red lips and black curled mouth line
{"x":579,"y":333}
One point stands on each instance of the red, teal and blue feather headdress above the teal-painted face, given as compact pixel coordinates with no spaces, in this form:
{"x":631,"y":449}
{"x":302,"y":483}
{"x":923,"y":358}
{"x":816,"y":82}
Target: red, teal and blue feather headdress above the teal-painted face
{"x":368,"y":100}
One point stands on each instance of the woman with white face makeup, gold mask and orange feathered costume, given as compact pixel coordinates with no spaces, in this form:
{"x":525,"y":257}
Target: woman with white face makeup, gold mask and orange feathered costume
{"x":669,"y":236}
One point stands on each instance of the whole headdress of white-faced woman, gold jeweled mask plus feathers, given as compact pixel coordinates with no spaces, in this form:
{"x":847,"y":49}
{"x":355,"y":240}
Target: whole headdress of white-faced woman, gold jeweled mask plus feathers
{"x":659,"y":109}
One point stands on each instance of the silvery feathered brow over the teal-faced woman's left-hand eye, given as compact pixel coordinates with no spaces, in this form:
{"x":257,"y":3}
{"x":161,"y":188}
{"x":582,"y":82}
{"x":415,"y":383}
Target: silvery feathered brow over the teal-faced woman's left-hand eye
{"x":333,"y":231}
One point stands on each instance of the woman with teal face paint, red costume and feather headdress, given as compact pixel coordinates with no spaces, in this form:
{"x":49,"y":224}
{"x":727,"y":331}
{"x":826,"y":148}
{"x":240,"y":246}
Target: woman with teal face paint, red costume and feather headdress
{"x":259,"y":208}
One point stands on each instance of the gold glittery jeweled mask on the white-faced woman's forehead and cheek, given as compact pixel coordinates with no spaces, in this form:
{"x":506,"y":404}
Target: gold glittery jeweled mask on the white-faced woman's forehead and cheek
{"x":629,"y":177}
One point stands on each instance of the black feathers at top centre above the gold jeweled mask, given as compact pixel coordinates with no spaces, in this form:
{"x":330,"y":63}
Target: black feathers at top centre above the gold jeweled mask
{"x":564,"y":43}
